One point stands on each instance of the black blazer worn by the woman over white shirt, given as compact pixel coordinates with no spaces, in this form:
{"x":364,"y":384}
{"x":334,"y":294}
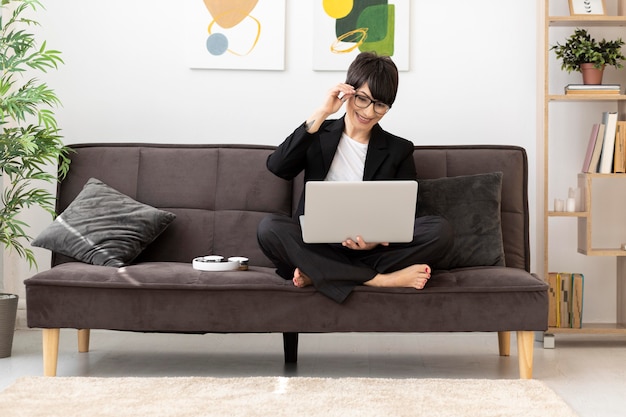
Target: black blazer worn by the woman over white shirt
{"x":388,"y":156}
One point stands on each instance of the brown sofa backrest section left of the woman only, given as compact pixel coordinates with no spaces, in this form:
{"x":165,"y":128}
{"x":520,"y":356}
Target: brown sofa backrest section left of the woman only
{"x":219,"y":194}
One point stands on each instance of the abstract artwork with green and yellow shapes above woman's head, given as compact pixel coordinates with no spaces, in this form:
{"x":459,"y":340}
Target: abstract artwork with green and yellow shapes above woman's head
{"x":344,"y":28}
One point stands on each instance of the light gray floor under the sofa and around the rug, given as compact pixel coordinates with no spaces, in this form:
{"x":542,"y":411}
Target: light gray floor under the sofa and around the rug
{"x":588,"y":372}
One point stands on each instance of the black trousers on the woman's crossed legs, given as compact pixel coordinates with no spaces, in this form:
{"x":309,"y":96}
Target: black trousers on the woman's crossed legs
{"x":336,"y":270}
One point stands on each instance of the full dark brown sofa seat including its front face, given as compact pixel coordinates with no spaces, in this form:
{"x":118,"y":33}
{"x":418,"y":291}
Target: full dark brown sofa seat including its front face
{"x":173,"y":297}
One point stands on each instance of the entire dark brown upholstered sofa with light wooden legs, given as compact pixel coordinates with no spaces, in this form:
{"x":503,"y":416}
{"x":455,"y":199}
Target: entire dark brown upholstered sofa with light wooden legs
{"x":219,"y":193}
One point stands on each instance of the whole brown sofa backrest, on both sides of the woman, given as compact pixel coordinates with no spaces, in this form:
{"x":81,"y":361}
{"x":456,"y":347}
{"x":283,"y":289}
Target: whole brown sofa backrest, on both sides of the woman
{"x":219,"y":193}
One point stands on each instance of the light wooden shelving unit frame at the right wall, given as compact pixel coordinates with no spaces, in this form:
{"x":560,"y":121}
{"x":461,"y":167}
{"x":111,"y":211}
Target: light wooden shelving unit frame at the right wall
{"x":585,"y":181}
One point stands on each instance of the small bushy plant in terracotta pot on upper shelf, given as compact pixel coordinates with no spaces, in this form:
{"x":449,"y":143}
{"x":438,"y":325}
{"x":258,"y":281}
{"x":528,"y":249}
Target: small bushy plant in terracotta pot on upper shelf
{"x":581,"y":52}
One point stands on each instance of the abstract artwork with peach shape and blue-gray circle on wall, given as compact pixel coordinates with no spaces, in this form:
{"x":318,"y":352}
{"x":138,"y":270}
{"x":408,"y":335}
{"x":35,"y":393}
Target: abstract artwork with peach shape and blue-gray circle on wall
{"x":236,"y":34}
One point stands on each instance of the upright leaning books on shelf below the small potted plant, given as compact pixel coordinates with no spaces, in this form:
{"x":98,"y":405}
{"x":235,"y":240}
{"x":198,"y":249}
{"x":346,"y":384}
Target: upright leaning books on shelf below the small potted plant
{"x":606,"y":150}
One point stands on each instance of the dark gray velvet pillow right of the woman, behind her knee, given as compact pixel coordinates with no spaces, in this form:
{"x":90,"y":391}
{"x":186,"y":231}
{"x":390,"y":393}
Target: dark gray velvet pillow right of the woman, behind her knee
{"x":472,"y":206}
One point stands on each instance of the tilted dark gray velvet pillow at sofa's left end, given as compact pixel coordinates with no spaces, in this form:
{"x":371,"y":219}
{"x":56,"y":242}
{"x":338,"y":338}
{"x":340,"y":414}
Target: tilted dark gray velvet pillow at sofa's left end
{"x":104,"y":227}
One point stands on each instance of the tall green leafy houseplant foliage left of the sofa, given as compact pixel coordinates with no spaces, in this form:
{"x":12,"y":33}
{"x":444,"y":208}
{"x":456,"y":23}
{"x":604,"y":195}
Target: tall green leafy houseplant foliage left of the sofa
{"x":29,"y":139}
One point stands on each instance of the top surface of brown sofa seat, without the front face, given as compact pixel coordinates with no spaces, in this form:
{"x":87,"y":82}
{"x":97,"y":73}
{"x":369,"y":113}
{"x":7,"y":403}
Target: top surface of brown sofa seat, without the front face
{"x":175,"y":275}
